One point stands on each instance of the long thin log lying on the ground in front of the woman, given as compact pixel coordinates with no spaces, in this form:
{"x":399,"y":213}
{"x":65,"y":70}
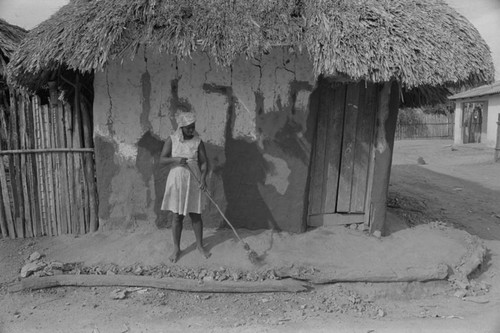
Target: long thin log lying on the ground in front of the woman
{"x":268,"y":286}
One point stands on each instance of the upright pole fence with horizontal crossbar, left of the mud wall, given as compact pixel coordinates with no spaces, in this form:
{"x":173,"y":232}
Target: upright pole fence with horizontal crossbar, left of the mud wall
{"x":47,"y":174}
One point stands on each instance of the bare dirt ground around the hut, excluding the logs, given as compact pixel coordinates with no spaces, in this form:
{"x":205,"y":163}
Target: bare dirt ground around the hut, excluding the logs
{"x":441,"y":197}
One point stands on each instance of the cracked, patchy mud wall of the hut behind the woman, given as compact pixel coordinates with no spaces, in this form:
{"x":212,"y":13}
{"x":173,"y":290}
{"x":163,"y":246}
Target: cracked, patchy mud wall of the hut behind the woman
{"x":253,"y":118}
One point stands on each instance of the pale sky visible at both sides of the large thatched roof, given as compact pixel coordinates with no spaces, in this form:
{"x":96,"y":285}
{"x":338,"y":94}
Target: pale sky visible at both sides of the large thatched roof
{"x":484,"y":14}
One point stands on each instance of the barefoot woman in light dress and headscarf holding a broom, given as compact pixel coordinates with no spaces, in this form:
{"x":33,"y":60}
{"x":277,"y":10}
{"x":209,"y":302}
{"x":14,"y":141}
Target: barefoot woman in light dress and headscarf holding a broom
{"x":186,"y":154}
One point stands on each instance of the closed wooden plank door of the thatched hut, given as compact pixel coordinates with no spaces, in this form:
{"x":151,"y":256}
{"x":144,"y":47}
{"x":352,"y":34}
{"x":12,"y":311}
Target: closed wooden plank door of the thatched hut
{"x":340,"y":165}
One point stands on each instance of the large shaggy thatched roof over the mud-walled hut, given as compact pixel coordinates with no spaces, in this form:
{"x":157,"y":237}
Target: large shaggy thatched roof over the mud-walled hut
{"x":418,"y":42}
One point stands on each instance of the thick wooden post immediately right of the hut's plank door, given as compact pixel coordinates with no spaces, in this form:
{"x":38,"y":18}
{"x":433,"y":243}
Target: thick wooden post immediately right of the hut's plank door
{"x":384,"y":144}
